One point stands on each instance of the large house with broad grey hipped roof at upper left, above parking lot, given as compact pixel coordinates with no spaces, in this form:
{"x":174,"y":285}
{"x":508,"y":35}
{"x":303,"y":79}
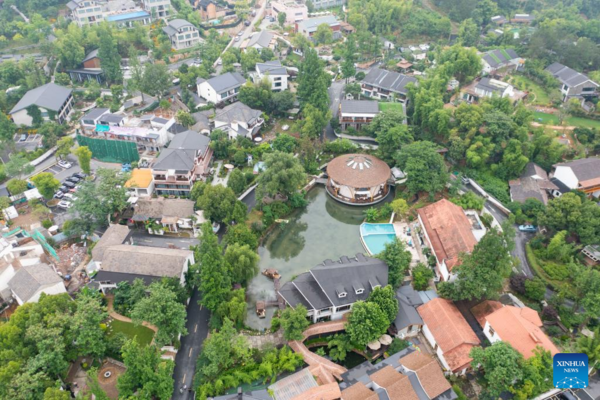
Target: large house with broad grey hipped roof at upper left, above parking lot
{"x":53,"y":101}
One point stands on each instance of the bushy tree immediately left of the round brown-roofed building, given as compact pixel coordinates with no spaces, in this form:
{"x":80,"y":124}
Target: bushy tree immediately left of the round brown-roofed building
{"x":283,"y":175}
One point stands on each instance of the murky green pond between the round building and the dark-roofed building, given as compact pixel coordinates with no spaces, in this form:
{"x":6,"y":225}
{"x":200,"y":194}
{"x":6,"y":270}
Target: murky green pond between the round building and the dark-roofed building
{"x":324,"y":229}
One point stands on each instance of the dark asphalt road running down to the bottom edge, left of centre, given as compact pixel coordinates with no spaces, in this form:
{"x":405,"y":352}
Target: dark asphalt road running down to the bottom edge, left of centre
{"x":191,"y":344}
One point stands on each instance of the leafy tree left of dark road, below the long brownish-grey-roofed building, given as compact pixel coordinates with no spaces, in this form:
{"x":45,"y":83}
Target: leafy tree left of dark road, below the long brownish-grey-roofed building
{"x":162,"y":309}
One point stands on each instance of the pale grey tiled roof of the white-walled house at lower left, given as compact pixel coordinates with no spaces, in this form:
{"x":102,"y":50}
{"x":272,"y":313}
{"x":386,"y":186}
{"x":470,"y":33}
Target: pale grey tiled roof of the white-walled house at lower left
{"x":29,"y":279}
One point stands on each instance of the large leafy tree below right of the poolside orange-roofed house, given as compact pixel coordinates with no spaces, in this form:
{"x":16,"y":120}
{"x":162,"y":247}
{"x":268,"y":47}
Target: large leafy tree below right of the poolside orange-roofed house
{"x":481,"y":274}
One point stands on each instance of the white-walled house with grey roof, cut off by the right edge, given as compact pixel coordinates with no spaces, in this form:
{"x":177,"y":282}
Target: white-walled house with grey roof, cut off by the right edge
{"x":582,"y":174}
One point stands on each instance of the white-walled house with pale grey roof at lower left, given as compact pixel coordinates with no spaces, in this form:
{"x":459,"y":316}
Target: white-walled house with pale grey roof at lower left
{"x":30,"y":281}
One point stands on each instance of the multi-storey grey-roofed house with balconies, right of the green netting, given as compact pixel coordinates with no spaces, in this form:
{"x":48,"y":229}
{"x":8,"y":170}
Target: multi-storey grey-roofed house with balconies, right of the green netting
{"x":186,"y":160}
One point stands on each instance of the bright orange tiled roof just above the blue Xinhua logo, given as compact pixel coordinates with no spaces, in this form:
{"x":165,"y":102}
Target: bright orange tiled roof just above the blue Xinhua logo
{"x":521,"y":328}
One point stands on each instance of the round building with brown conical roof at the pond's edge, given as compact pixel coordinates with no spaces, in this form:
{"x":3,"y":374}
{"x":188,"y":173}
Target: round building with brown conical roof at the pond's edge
{"x":358,"y":179}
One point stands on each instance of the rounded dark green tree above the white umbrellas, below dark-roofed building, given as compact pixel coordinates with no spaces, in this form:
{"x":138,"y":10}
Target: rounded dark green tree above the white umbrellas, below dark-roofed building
{"x":367,"y":322}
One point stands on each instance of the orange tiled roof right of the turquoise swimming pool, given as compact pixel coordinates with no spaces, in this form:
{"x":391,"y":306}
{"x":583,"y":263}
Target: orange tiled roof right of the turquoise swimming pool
{"x":449,"y":231}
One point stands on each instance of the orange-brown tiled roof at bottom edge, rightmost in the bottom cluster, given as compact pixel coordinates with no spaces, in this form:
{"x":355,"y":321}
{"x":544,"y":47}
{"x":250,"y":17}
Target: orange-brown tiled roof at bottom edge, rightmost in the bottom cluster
{"x":428,"y":371}
